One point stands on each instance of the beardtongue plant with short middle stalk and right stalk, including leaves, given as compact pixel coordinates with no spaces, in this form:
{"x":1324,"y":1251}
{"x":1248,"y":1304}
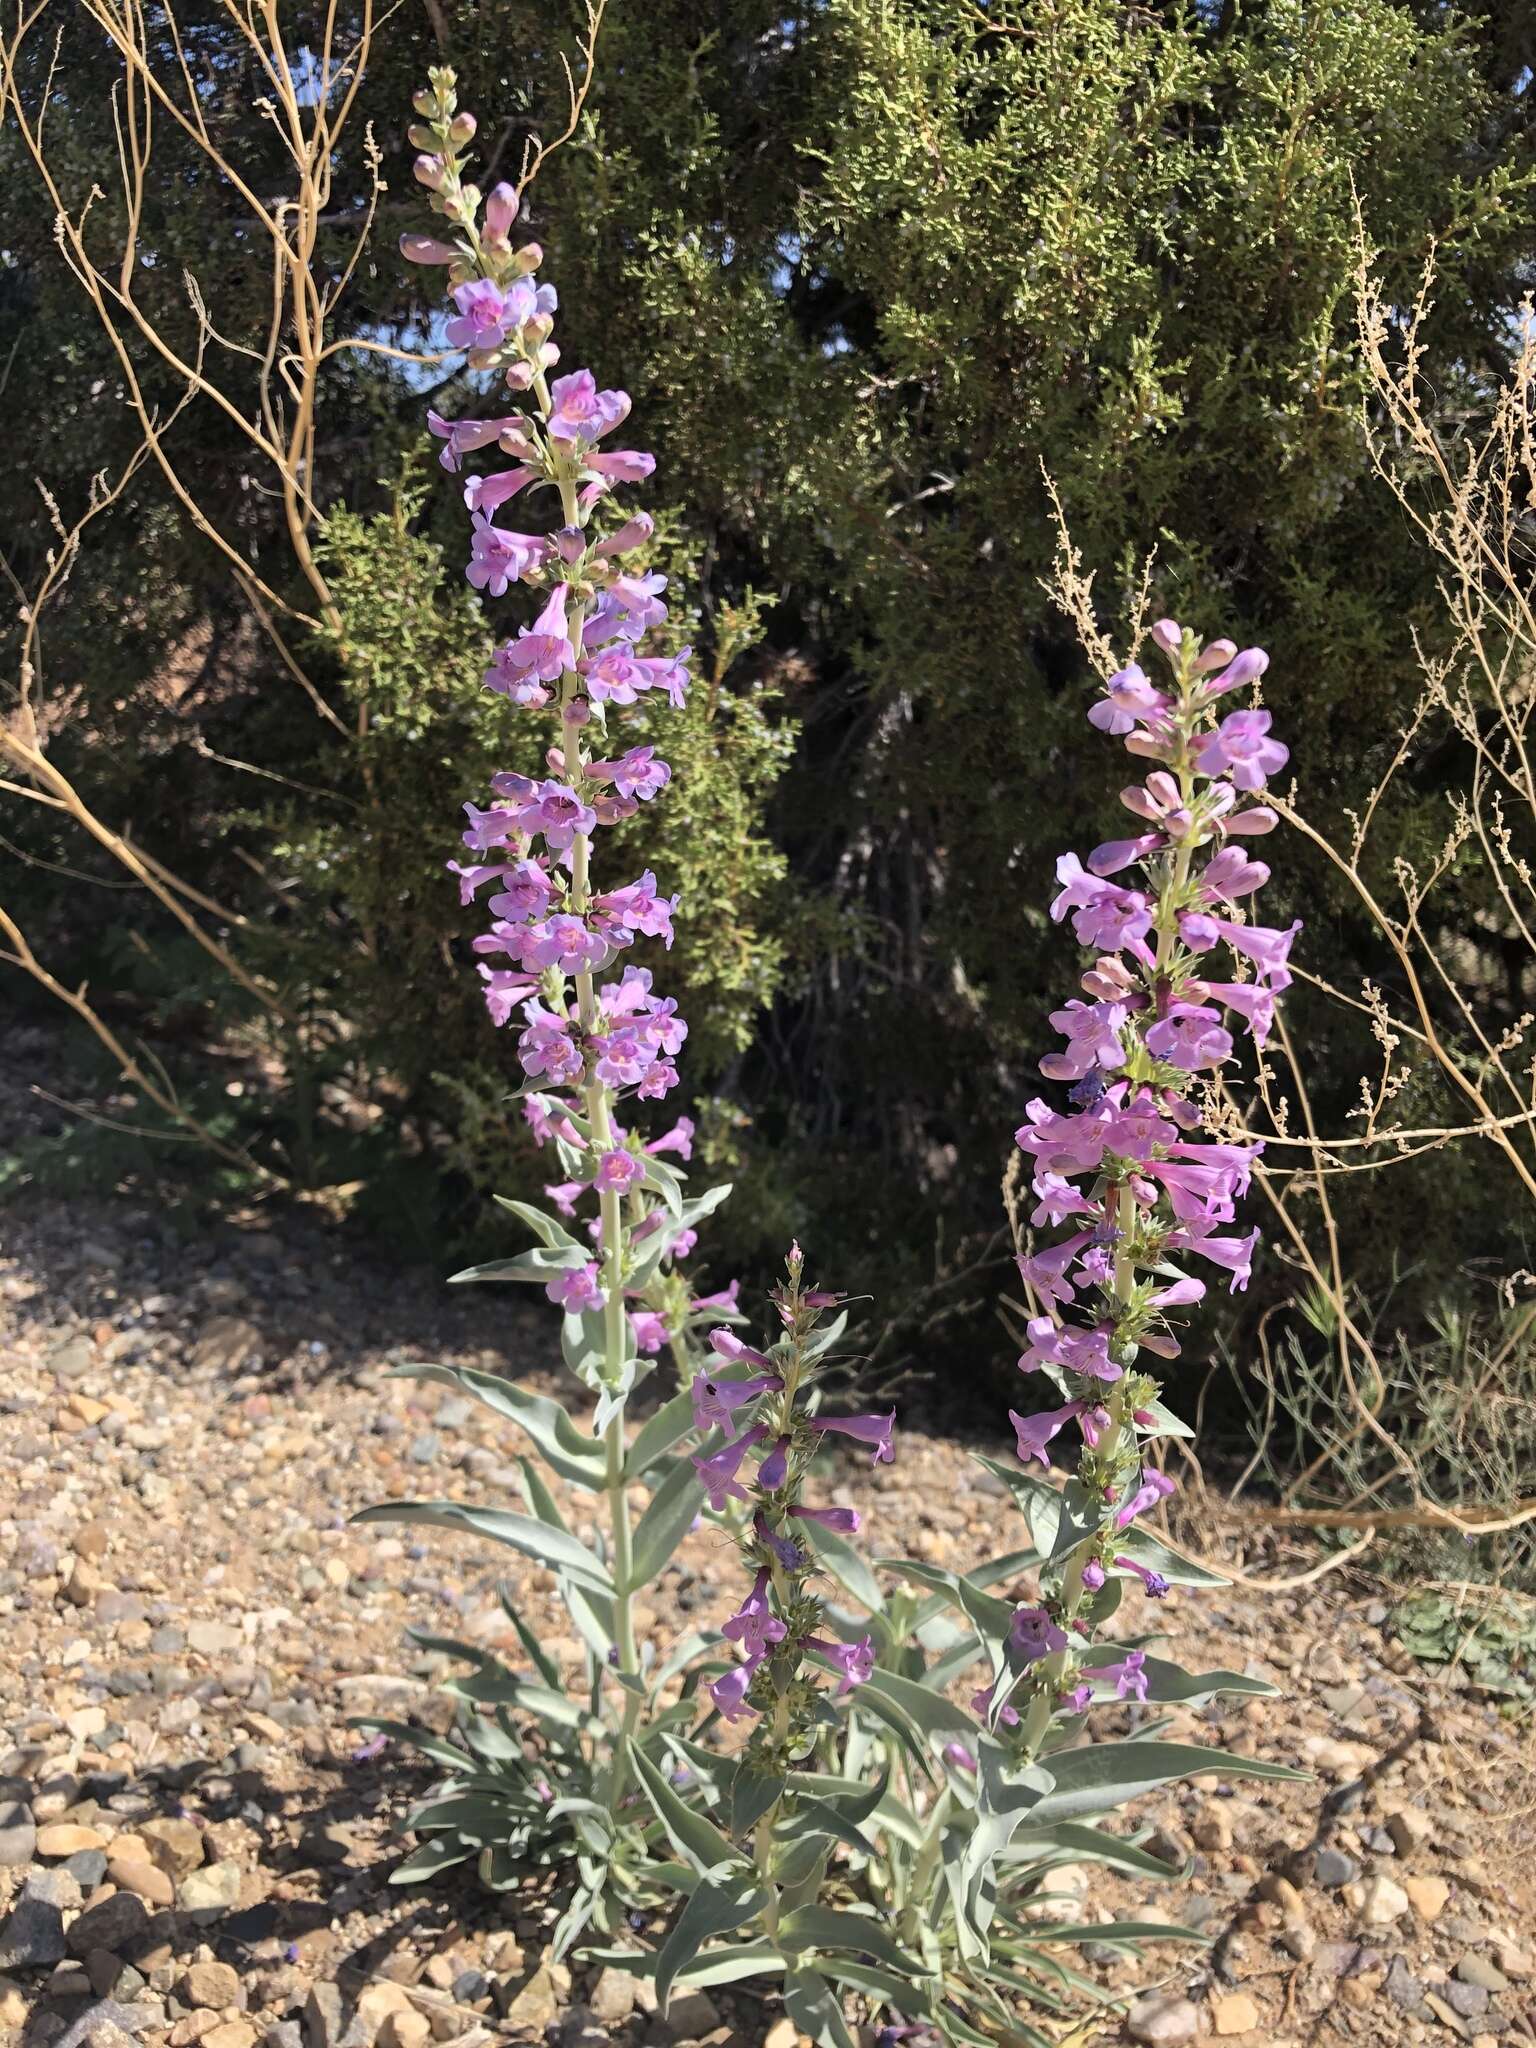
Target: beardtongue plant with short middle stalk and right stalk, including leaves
{"x":906,"y":1850}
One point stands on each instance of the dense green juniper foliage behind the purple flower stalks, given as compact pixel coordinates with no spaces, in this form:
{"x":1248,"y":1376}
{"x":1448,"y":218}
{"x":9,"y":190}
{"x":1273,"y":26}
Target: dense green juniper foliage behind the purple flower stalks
{"x":865,"y":269}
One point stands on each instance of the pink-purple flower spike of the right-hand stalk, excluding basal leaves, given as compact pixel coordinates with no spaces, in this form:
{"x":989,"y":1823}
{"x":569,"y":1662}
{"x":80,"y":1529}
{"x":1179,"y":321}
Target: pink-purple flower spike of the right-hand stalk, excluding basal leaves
{"x":1129,"y":1172}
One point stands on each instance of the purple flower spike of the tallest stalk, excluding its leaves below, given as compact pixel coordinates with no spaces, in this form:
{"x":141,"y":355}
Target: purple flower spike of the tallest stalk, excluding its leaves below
{"x":593,"y":1031}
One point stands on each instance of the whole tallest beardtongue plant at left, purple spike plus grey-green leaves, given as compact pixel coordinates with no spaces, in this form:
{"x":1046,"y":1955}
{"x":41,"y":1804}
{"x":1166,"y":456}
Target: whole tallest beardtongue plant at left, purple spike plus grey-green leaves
{"x":597,"y":1046}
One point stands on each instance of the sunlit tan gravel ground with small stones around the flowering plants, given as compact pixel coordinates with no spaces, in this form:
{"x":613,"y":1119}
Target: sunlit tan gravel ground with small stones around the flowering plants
{"x":191,"y":1848}
